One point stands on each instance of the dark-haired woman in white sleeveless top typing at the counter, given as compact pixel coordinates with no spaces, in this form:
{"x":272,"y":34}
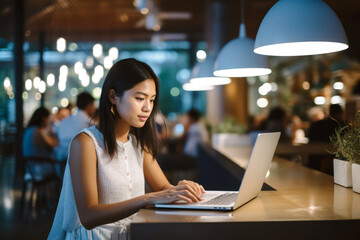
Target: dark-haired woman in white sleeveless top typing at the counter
{"x":108,"y":164}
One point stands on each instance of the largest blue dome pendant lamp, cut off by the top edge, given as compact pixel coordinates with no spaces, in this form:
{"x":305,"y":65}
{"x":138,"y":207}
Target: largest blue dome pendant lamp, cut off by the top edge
{"x":300,"y":28}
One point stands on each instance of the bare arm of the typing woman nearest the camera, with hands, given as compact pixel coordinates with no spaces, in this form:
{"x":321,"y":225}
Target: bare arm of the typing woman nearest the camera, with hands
{"x":83,"y":171}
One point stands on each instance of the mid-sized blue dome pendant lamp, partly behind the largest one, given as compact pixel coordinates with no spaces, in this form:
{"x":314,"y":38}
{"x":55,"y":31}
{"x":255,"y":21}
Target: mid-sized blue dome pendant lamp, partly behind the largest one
{"x":237,"y":58}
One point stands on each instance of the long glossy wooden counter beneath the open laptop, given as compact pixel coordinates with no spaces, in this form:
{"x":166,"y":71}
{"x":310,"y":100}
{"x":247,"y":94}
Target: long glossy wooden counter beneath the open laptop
{"x":306,"y":205}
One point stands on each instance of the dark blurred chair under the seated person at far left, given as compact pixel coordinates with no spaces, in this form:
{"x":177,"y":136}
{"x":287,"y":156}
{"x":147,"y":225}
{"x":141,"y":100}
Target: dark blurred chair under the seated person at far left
{"x":40,"y":172}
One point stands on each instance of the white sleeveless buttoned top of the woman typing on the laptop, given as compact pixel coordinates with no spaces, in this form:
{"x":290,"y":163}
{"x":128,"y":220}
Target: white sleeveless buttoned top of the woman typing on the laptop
{"x":118,"y":179}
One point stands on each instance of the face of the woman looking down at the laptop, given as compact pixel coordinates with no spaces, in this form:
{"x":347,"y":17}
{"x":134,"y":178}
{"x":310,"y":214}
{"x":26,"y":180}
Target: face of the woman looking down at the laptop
{"x":135,"y":106}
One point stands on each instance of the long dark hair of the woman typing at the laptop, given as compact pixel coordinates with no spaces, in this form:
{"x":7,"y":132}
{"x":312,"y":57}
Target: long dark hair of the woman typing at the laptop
{"x":124,"y":75}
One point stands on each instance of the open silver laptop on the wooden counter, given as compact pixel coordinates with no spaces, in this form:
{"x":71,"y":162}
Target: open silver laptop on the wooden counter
{"x":250,"y":186}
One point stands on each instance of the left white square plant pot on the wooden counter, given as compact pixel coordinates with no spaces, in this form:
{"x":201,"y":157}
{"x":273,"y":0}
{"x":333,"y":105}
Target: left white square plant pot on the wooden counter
{"x":342,"y":173}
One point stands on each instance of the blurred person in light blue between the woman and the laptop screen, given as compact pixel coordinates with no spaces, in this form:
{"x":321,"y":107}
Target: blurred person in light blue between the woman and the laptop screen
{"x":195,"y":132}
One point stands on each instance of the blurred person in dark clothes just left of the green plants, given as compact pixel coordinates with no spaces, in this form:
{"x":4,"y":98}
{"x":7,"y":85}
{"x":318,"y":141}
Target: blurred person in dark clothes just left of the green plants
{"x":321,"y":130}
